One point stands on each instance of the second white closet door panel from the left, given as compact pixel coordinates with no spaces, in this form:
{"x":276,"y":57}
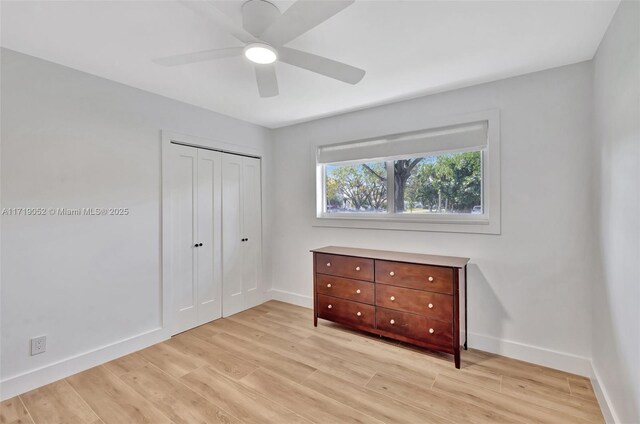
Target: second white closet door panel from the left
{"x":209,"y":231}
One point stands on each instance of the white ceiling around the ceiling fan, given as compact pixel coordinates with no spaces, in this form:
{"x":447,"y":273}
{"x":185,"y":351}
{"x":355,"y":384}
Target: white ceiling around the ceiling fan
{"x":408,"y":48}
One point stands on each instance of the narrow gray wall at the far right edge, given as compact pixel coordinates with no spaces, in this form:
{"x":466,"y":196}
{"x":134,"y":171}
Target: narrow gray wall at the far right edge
{"x":616,"y":296}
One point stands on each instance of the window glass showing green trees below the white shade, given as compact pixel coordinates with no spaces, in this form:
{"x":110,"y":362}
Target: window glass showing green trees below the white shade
{"x":436,"y":184}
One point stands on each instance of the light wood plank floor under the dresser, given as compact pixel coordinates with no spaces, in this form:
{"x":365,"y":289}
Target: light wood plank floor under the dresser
{"x":270,"y":365}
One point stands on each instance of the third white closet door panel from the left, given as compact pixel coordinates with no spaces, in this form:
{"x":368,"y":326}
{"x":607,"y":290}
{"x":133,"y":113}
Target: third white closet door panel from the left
{"x":233,"y":296}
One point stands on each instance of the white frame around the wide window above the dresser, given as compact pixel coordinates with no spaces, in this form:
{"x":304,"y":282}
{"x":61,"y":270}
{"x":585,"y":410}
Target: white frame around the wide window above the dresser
{"x":486,"y":223}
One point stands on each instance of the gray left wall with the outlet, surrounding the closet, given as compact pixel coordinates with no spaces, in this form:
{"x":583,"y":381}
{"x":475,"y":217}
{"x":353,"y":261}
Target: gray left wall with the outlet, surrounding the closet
{"x":70,"y":139}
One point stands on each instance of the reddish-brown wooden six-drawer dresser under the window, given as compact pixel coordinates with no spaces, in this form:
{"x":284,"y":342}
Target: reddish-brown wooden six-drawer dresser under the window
{"x":414,"y":298}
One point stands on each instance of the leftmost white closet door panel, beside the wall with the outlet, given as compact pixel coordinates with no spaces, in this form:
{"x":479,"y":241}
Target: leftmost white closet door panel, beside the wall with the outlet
{"x":183,"y":203}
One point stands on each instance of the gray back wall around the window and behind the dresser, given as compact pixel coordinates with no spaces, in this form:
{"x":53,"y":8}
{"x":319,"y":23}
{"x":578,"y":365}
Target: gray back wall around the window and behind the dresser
{"x":530,"y":287}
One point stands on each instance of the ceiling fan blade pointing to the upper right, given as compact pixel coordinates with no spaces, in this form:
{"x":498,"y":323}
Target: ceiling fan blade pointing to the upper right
{"x":300,"y":18}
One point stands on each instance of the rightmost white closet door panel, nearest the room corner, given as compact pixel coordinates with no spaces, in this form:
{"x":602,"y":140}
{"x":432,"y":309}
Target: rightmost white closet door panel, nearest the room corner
{"x":251,"y":231}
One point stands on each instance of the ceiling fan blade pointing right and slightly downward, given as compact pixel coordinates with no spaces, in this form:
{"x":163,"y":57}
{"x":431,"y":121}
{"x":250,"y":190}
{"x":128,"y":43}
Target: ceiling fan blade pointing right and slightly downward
{"x":321,"y":65}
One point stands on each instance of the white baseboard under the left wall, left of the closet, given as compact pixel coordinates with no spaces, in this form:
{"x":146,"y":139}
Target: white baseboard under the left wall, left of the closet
{"x":21,"y":383}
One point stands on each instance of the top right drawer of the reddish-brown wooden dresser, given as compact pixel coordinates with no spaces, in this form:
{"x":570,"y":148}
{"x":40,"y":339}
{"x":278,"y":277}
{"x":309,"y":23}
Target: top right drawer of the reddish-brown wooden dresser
{"x":415,"y":276}
